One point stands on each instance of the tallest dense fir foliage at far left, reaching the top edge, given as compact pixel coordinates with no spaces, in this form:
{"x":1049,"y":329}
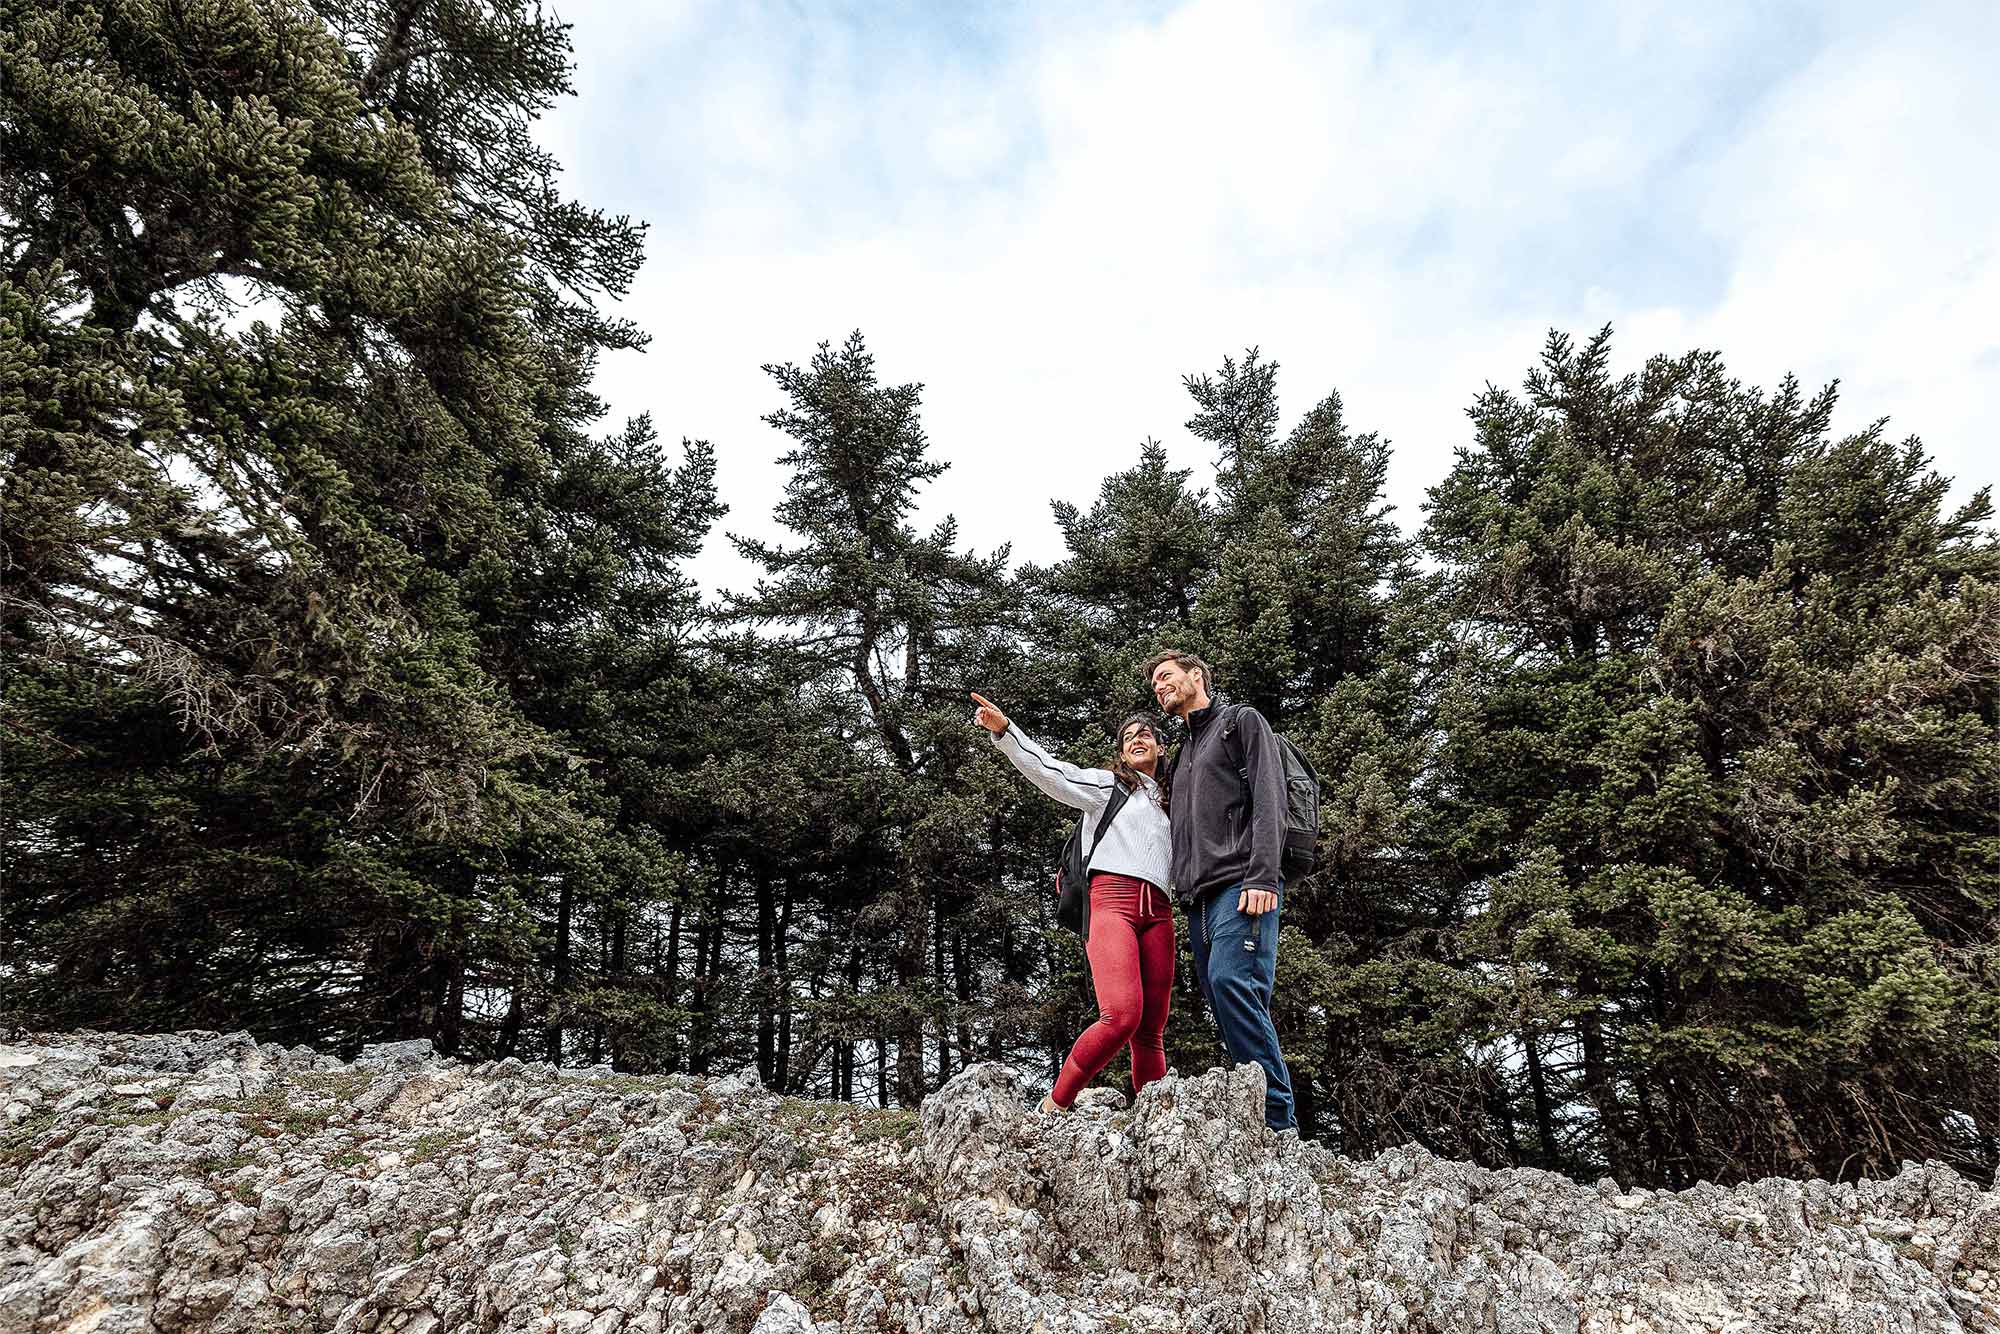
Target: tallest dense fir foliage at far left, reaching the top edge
{"x":301,"y":511}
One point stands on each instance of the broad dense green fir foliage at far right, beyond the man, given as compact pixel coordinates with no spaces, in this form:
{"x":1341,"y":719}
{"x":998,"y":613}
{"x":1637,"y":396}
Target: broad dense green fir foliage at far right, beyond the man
{"x":1719,"y":749}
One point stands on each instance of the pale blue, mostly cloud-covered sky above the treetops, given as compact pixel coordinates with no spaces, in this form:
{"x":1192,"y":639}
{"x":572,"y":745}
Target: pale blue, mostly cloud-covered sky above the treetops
{"x":1051,"y":213}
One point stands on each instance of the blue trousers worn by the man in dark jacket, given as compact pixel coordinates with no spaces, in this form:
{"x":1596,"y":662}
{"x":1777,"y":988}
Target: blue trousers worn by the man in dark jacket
{"x":1237,"y":965}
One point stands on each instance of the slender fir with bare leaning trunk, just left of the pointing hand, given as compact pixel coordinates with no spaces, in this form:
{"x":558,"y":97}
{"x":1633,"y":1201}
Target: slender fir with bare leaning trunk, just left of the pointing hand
{"x":899,"y":617}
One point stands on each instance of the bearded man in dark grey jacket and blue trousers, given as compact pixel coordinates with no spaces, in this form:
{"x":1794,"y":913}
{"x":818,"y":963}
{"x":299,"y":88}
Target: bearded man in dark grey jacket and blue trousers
{"x":1227,"y":855}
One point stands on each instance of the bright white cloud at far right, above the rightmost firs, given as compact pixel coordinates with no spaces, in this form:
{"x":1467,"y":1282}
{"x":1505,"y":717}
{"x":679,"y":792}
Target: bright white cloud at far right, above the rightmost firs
{"x":1859,"y":209}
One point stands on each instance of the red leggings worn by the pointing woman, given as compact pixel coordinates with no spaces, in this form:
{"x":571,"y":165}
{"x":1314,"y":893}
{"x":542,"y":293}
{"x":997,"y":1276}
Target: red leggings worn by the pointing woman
{"x":1133,"y":971}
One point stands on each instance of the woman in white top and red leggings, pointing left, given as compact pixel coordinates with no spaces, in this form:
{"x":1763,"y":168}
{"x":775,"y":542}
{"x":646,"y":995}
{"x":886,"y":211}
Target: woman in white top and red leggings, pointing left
{"x":1131,"y":941}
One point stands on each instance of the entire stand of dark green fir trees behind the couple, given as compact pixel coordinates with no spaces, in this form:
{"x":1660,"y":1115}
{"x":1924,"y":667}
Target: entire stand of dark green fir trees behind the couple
{"x":353,"y":687}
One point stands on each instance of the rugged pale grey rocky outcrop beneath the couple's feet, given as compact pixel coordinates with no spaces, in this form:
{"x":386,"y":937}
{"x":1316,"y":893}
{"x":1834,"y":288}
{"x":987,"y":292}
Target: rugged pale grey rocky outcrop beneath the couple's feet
{"x":207,"y":1183}
